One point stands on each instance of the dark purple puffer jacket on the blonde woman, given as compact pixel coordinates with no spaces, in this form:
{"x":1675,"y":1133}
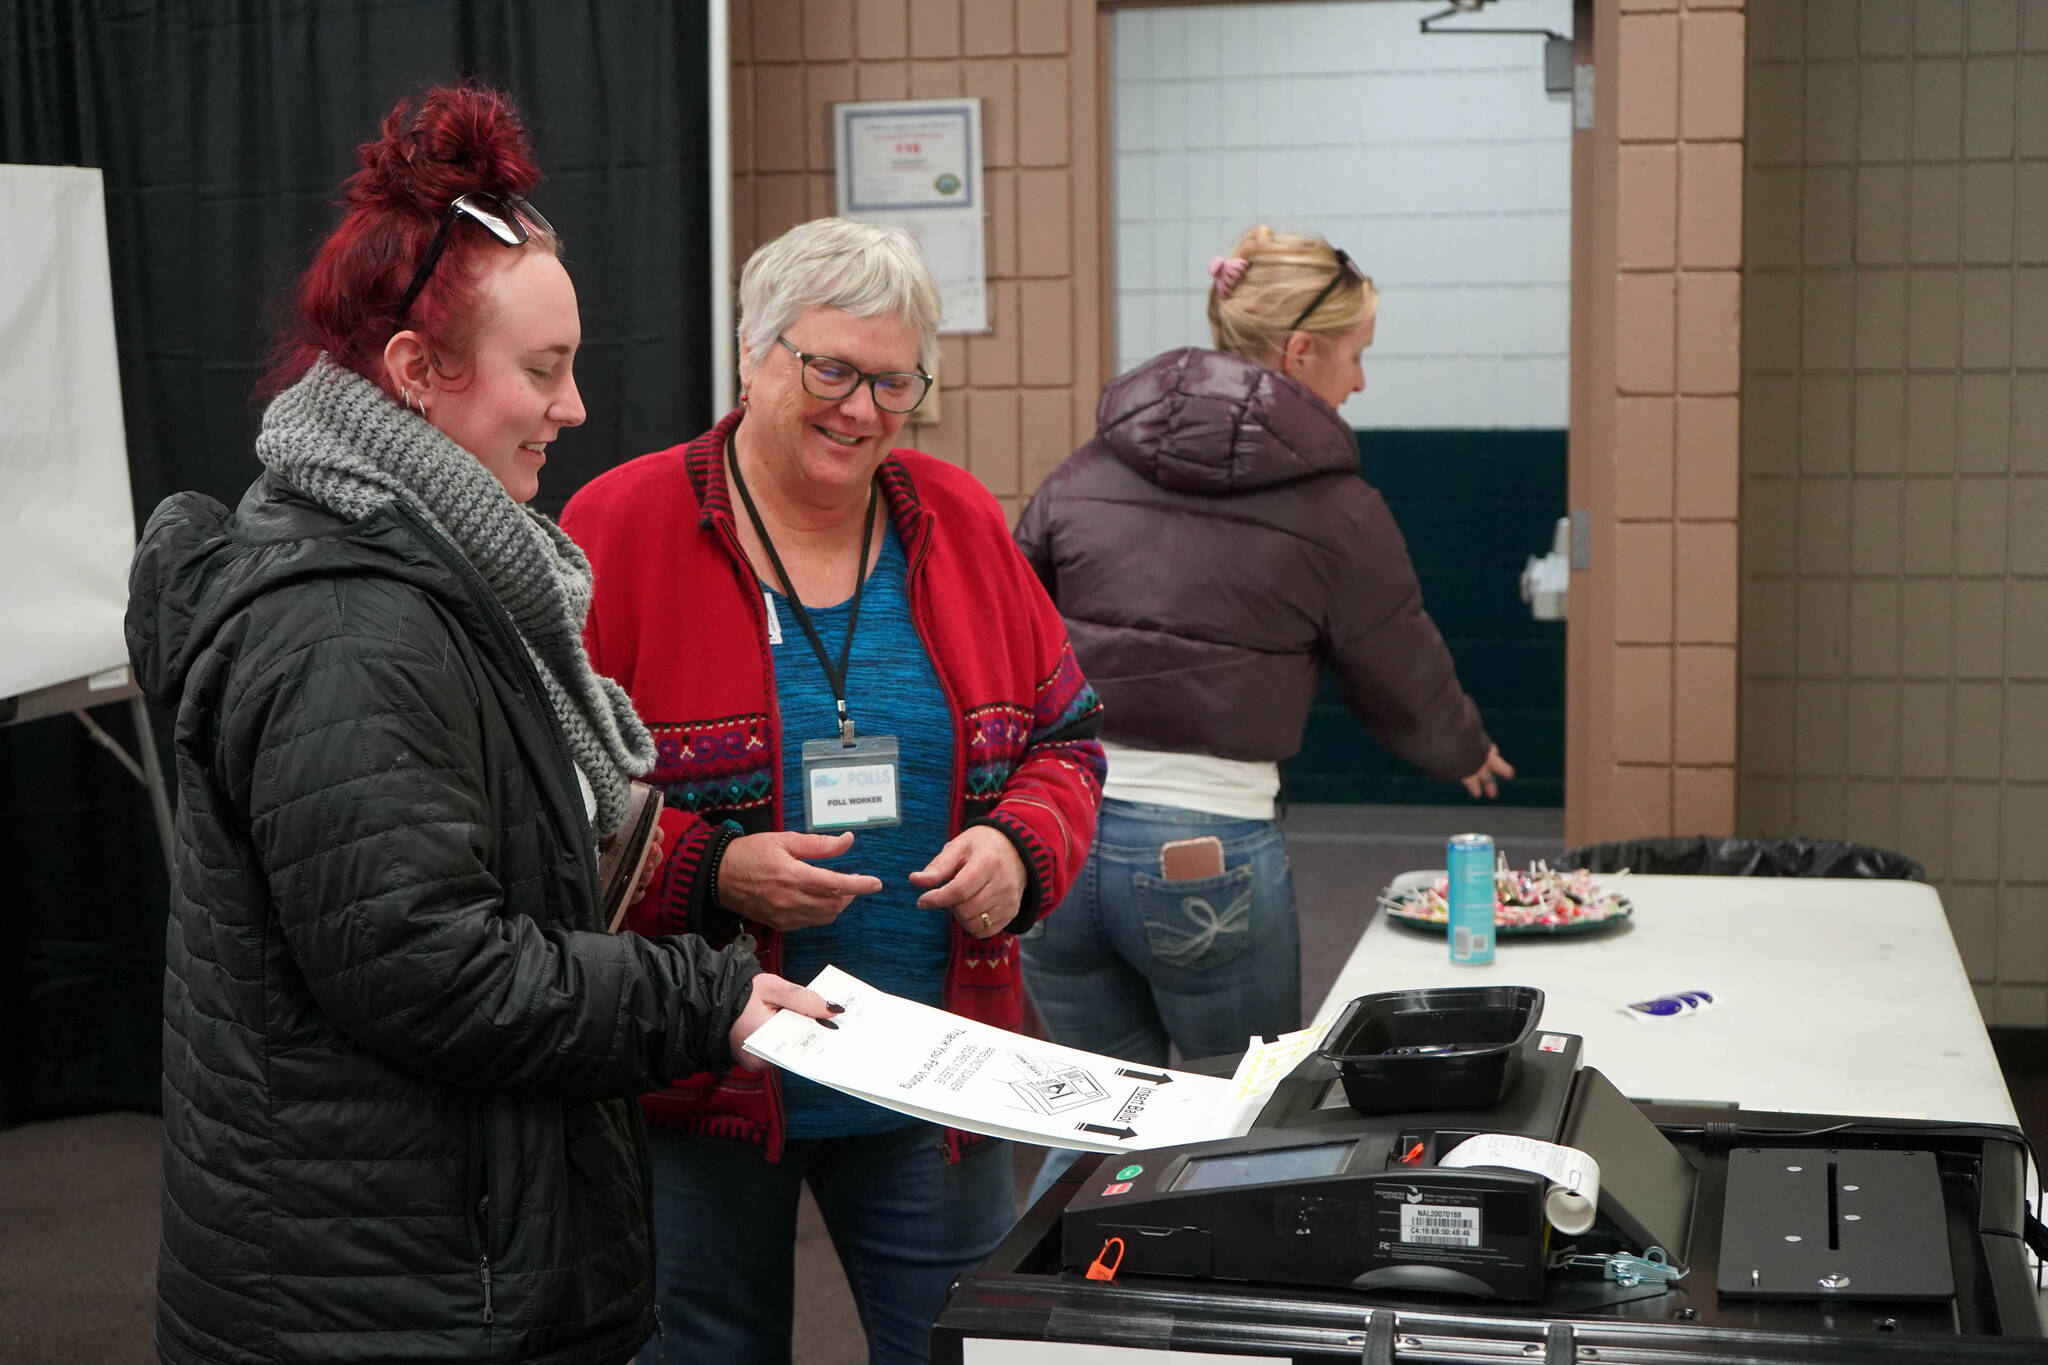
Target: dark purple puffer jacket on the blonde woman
{"x":1213,"y":547}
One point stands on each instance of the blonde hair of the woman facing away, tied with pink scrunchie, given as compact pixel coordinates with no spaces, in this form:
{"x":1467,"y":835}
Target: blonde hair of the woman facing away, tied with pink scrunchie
{"x":1283,"y":275}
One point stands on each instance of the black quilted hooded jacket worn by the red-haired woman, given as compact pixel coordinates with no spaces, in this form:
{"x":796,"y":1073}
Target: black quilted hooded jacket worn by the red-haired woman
{"x":398,"y":1055}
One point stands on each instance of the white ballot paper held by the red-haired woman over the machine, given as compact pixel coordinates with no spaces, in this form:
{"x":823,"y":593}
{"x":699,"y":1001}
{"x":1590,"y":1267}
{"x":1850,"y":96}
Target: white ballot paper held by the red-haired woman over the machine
{"x":953,"y":1071}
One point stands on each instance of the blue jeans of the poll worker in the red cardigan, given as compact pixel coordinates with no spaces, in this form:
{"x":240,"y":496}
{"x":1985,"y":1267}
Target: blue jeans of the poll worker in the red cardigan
{"x":902,"y":1221}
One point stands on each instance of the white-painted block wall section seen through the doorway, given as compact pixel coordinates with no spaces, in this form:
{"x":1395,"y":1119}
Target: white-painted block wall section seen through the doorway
{"x":1439,"y":163}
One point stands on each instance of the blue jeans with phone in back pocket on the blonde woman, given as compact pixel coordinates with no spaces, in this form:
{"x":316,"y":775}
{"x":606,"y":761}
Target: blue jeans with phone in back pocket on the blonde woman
{"x":1134,"y":963}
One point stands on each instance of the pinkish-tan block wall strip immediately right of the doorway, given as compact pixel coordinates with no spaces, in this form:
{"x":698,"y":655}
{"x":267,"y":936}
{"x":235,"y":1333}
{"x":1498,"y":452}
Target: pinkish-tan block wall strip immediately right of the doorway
{"x":1658,"y":376}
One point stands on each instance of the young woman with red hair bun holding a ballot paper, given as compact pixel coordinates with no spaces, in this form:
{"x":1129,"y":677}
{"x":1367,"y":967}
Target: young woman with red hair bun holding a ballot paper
{"x":400,"y":1051}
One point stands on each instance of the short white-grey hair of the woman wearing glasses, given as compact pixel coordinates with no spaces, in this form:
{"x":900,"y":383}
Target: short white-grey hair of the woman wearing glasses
{"x":863,"y":269}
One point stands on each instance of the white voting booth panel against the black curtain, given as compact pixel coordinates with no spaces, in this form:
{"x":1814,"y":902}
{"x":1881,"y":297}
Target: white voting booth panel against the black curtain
{"x":69,"y":517}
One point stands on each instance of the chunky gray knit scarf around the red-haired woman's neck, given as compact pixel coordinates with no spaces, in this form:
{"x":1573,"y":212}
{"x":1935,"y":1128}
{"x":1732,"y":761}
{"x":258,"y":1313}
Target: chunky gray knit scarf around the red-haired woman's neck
{"x":351,"y":449}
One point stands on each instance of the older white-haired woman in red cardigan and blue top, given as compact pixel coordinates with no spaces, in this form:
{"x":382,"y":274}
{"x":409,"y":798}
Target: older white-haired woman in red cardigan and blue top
{"x":802,"y":611}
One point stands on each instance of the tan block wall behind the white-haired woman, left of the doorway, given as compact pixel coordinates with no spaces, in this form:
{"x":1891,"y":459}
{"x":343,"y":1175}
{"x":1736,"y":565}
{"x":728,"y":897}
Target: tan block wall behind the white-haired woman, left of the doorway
{"x":1019,"y":400}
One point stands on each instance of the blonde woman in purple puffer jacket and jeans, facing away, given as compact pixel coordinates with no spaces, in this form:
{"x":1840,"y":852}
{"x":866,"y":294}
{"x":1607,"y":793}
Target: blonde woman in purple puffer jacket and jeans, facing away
{"x":1213,"y":549}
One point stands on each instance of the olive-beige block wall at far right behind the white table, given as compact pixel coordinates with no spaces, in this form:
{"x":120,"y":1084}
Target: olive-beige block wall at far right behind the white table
{"x":1895,"y":453}
